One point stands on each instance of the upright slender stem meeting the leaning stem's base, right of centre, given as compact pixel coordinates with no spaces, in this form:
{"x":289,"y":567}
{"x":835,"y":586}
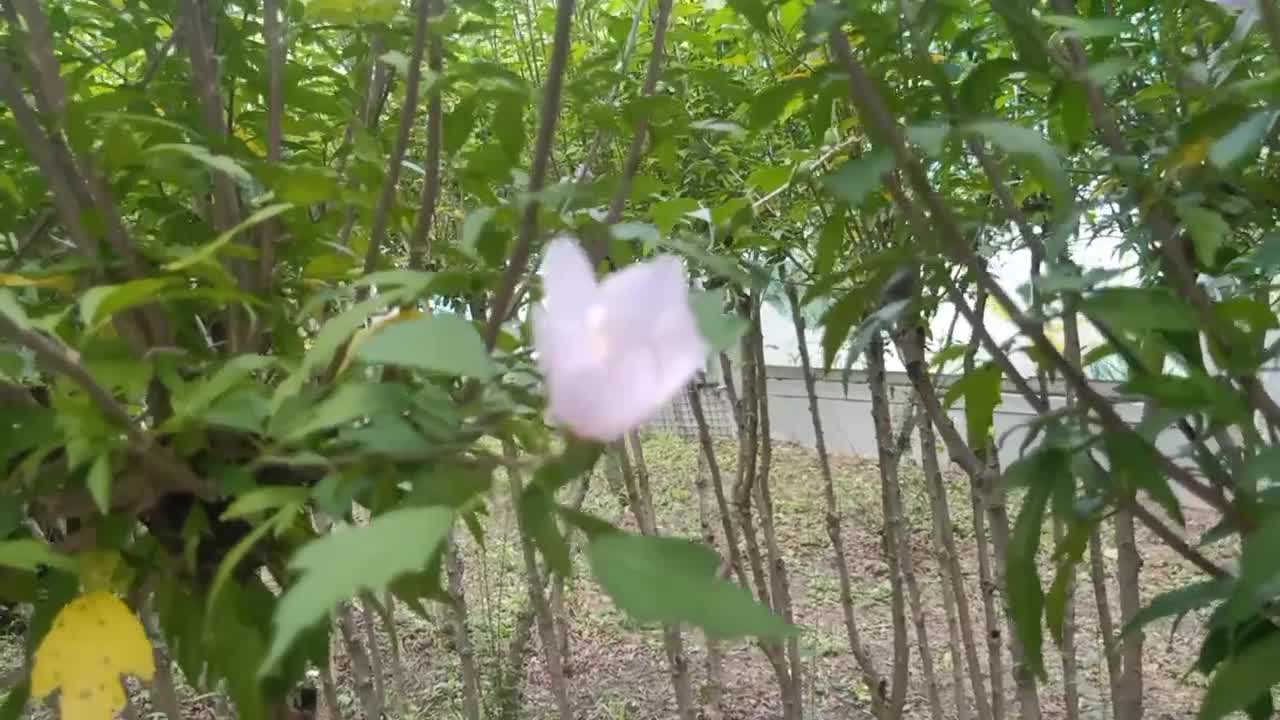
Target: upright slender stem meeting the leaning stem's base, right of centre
{"x":889,"y":472}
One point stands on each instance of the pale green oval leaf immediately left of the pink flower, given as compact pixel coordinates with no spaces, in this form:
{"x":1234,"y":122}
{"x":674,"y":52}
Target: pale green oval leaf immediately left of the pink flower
{"x":441,"y":344}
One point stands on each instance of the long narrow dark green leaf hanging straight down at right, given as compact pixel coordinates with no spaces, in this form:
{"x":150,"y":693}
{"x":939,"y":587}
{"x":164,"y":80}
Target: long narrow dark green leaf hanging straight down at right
{"x":1040,"y":472}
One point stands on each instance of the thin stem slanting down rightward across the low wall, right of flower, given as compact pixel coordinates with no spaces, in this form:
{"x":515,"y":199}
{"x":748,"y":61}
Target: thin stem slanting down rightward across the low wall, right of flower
{"x":862,"y":655}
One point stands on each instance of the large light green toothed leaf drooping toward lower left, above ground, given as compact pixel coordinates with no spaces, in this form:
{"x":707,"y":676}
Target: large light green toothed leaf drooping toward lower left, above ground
{"x":346,"y":563}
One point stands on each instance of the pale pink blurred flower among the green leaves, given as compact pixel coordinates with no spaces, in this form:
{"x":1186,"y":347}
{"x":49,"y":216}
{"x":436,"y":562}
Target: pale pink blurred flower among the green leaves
{"x":614,"y":353}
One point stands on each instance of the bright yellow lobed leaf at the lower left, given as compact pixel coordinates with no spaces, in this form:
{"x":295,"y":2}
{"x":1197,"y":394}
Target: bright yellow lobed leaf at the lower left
{"x":94,"y":641}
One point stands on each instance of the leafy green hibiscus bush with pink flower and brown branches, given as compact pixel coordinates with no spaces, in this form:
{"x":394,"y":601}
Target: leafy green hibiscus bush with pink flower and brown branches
{"x":272,"y":334}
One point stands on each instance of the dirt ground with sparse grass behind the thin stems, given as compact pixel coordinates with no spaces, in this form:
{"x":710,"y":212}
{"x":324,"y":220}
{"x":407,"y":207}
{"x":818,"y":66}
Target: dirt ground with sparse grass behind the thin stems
{"x":619,"y":668}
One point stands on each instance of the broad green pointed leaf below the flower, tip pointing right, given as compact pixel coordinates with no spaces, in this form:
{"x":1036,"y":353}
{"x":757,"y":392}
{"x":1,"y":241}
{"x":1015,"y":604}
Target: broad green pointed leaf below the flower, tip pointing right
{"x":673,"y":581}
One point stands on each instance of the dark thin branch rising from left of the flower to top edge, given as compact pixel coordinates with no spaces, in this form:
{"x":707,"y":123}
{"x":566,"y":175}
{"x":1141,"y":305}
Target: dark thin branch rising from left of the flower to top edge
{"x":548,"y":117}
